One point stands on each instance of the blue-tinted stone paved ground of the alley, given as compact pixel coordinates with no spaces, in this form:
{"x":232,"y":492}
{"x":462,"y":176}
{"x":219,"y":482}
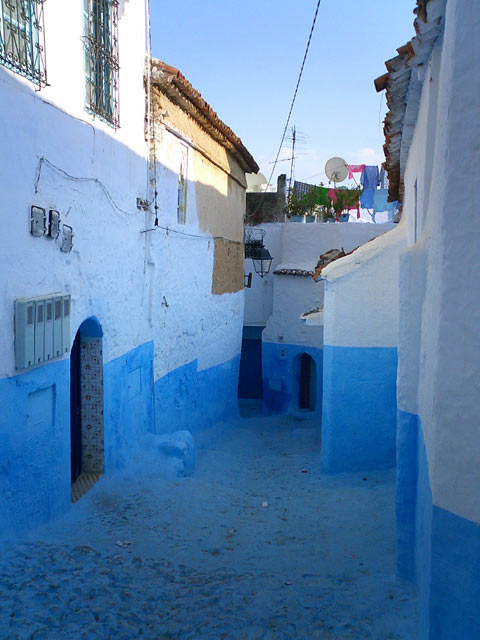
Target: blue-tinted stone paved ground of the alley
{"x":207,"y":561}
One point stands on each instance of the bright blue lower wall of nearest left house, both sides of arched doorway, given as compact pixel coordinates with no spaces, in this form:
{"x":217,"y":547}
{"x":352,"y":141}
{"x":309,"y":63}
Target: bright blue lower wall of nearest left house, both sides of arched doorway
{"x":35,"y":433}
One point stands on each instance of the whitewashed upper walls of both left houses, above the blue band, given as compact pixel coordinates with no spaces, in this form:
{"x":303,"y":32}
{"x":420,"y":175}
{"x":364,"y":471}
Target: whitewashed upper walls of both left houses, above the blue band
{"x":168,"y":275}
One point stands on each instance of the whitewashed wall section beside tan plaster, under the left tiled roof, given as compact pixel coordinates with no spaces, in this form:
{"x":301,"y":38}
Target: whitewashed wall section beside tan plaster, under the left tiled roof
{"x":191,"y":323}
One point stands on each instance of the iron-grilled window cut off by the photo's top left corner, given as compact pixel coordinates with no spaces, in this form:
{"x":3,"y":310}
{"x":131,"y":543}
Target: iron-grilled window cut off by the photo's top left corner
{"x":22,"y":40}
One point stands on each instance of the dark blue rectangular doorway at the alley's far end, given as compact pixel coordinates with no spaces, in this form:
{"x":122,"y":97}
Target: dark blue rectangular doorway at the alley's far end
{"x":250,"y":380}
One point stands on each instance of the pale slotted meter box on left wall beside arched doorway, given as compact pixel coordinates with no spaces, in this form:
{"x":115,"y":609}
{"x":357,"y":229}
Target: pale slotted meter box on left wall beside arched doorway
{"x":42,"y":329}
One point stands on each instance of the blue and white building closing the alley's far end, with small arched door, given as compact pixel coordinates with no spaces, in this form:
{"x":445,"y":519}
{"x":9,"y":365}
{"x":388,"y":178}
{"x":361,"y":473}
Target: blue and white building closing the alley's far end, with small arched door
{"x":289,"y":352}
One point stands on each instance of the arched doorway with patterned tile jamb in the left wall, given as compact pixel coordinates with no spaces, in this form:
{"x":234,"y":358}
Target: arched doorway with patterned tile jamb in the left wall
{"x":86,"y":408}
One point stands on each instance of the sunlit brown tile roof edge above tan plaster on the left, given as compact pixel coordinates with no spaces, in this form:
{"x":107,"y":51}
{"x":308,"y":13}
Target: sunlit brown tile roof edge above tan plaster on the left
{"x":180,"y":91}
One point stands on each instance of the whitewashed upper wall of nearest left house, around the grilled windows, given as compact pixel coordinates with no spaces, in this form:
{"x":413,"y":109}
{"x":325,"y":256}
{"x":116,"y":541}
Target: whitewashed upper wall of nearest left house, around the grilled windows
{"x":90,"y":173}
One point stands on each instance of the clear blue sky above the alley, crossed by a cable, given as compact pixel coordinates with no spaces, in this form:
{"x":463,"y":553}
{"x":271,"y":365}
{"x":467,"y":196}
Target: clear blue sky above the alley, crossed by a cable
{"x":244,"y":58}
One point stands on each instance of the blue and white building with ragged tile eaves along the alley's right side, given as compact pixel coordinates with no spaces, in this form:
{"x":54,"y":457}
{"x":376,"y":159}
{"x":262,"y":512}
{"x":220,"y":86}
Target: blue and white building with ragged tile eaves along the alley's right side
{"x":421,"y":308}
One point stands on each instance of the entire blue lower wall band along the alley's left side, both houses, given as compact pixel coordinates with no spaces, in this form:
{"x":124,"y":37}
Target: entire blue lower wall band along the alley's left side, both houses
{"x":35,"y":424}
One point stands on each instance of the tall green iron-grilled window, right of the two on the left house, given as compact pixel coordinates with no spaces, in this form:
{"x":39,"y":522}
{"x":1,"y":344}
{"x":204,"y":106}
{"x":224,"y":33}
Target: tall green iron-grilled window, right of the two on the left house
{"x":101,"y":59}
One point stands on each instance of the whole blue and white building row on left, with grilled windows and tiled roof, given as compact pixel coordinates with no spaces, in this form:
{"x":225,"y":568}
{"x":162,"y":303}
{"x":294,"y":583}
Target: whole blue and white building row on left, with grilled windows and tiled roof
{"x":122,"y":291}
